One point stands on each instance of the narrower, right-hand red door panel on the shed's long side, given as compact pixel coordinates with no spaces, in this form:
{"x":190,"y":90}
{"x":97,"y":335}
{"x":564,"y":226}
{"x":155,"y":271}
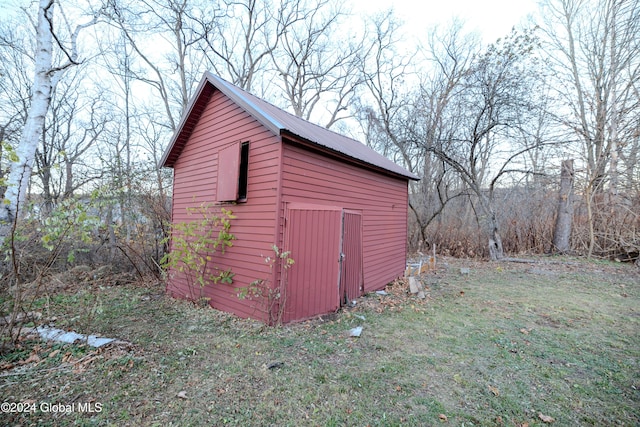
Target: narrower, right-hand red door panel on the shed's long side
{"x":351,"y":256}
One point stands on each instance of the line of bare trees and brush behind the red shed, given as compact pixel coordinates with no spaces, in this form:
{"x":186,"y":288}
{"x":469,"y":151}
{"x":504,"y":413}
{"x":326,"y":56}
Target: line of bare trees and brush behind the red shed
{"x":526,"y":144}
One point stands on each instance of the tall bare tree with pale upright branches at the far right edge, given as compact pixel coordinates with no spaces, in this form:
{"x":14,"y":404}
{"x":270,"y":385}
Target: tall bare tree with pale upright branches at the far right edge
{"x":594,"y":52}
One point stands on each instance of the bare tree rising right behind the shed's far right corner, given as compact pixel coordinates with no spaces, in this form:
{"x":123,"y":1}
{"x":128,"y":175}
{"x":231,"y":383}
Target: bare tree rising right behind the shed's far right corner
{"x":404,"y":112}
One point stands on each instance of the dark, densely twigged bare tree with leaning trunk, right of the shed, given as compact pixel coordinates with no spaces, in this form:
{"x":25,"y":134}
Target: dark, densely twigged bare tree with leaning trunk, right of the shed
{"x":492,"y":95}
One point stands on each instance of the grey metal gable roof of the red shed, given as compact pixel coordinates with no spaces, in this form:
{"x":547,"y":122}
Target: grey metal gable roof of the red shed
{"x":279,"y":122}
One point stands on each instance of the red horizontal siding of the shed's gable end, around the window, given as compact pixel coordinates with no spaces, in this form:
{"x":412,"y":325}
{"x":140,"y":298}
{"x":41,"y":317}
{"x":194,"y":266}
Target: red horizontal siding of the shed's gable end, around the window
{"x":222,"y":124}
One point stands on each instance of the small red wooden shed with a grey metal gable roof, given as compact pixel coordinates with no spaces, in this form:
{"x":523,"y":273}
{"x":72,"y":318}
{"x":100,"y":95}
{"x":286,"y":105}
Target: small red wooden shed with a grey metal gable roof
{"x":336,"y":205}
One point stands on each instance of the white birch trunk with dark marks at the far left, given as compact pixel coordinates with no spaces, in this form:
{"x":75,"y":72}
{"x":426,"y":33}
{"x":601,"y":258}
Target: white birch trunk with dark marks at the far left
{"x":20,"y":174}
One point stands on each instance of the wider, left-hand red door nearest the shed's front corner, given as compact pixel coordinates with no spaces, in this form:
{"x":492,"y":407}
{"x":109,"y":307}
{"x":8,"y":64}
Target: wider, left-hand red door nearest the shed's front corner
{"x":313,"y":237}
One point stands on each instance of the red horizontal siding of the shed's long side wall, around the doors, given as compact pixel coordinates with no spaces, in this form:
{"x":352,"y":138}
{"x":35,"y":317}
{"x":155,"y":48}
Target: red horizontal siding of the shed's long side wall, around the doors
{"x":311,"y":177}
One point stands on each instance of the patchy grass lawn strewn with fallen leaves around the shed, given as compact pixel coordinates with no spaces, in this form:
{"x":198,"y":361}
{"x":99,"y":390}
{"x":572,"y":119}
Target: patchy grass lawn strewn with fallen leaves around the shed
{"x":552,"y":343}
